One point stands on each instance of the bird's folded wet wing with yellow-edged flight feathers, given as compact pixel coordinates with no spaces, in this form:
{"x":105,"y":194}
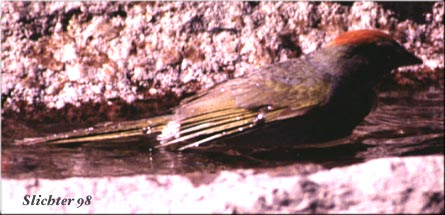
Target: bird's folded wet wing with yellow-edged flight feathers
{"x":264,"y":96}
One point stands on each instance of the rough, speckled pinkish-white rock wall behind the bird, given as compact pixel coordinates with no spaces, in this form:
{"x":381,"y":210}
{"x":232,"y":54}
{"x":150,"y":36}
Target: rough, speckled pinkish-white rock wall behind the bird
{"x":56,"y":54}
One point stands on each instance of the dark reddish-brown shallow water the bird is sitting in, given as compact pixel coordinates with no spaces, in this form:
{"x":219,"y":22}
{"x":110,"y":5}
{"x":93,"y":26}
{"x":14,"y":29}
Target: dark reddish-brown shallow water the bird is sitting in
{"x":406,"y":122}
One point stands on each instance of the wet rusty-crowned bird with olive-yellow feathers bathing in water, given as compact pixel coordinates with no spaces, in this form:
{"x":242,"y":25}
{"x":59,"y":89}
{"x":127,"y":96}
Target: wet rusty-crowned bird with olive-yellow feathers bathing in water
{"x":318,"y":97}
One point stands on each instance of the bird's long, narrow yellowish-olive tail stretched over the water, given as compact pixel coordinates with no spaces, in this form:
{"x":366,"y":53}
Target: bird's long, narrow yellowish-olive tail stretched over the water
{"x":109,"y":131}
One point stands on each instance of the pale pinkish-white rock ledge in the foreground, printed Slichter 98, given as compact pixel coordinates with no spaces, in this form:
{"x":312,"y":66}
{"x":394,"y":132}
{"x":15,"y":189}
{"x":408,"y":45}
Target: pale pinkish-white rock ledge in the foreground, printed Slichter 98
{"x":389,"y":185}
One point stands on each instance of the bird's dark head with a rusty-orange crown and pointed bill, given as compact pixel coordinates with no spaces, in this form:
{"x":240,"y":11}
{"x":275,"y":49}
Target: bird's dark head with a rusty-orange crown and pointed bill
{"x":366,"y":53}
